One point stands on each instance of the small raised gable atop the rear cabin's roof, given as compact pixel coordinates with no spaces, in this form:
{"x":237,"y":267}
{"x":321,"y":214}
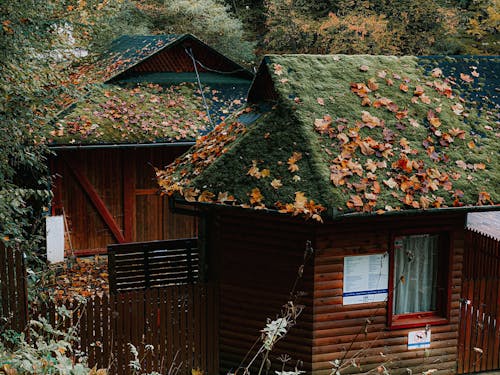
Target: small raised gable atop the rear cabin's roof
{"x":130,"y":51}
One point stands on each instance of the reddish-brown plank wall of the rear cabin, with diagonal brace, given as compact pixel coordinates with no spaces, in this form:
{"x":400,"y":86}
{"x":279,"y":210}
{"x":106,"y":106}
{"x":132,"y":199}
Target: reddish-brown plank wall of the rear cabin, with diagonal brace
{"x":110,"y":195}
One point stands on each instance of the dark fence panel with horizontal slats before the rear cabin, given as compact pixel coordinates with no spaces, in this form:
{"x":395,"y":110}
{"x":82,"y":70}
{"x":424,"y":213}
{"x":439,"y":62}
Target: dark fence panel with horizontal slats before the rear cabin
{"x":143,"y":265}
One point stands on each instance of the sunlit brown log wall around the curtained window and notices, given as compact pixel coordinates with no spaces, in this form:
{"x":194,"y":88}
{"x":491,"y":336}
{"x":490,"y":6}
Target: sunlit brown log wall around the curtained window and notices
{"x":339,"y":331}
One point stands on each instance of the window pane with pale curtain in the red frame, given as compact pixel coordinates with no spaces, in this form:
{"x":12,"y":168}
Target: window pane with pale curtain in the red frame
{"x":415,"y":273}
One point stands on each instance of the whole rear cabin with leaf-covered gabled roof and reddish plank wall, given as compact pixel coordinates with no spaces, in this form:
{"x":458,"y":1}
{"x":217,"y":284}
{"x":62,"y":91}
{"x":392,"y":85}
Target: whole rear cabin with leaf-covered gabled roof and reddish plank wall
{"x":145,"y":109}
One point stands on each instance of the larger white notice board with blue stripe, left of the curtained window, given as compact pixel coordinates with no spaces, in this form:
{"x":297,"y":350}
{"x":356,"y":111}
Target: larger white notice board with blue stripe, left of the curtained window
{"x":366,"y":278}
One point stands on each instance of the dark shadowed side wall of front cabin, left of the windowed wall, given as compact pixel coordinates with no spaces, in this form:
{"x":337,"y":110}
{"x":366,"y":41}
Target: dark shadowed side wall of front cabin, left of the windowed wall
{"x":255,"y":259}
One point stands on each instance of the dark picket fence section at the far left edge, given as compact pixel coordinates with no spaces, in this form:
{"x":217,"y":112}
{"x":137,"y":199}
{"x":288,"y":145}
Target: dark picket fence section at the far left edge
{"x":13,"y":290}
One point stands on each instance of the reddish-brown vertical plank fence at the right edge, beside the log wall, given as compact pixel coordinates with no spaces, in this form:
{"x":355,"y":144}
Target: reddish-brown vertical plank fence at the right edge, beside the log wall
{"x":479,"y":343}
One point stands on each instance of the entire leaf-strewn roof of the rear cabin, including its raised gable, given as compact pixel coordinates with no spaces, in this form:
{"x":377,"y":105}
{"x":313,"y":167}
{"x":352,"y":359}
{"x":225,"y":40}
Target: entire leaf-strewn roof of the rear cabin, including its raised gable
{"x":153,"y":93}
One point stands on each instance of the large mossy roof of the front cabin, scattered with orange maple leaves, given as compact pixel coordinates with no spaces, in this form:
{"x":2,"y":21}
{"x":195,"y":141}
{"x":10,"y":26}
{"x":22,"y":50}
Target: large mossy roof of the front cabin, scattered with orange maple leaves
{"x":353,"y":134}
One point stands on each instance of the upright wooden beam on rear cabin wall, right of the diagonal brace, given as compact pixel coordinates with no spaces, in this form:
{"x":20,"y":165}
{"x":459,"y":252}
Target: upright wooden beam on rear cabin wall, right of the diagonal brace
{"x":128,"y":173}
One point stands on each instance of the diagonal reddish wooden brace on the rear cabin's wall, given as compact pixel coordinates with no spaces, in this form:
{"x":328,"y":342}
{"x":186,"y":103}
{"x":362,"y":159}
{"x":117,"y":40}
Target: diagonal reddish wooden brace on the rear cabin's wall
{"x":94,"y":197}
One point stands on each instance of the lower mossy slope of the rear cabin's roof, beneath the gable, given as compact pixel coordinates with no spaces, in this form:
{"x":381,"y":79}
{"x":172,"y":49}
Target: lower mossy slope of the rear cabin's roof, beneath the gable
{"x":142,"y":113}
